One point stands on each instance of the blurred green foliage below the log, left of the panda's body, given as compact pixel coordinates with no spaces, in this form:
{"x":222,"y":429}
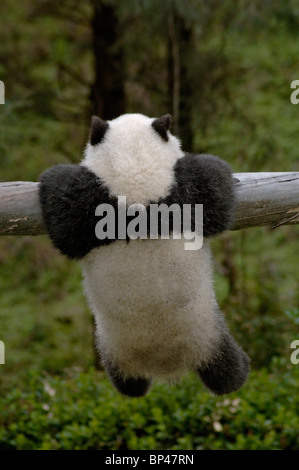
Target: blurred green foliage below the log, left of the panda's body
{"x":44,"y":319}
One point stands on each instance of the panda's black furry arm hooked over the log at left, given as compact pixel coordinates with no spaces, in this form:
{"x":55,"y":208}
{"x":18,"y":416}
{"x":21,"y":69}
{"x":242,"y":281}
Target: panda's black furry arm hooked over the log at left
{"x":69,"y":195}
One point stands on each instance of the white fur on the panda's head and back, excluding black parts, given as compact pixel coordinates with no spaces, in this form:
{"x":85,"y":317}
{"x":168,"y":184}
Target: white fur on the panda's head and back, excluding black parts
{"x":153,"y":301}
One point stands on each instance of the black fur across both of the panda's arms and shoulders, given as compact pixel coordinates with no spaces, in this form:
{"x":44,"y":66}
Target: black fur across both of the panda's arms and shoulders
{"x":69,"y":195}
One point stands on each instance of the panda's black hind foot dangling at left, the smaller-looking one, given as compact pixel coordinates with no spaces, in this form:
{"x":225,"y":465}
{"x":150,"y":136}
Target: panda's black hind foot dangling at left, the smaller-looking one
{"x":129,"y":386}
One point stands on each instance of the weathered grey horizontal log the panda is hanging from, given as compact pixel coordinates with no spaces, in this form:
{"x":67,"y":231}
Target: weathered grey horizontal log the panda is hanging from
{"x":262,"y":199}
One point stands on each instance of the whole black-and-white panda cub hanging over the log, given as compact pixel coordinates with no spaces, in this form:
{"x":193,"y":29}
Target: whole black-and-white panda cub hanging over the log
{"x":153,"y":301}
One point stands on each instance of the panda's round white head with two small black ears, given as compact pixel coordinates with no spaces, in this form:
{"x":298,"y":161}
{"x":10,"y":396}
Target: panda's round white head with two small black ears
{"x":134,"y":155}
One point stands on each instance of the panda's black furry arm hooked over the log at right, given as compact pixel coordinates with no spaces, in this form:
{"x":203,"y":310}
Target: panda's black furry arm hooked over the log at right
{"x":206,"y":179}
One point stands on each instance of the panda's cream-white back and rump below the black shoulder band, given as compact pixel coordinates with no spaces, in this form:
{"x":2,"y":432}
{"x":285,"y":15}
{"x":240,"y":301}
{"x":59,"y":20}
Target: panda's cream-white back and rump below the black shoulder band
{"x":152,"y":302}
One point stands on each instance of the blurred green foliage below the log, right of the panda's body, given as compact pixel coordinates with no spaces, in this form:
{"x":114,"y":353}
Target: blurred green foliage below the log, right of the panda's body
{"x":256,"y":281}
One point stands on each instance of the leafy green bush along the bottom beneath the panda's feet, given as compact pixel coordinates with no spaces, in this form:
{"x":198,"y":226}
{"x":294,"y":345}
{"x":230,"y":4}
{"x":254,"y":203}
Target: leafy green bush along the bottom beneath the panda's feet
{"x":84,"y":412}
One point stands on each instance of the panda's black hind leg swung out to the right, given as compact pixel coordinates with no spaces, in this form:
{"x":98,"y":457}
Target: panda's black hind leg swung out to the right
{"x":227,"y":369}
